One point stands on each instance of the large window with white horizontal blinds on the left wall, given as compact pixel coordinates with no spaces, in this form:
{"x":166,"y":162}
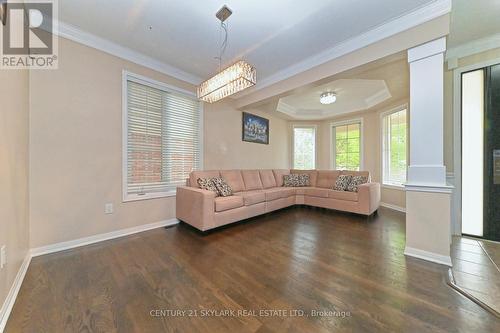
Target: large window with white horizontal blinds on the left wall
{"x":162,"y":138}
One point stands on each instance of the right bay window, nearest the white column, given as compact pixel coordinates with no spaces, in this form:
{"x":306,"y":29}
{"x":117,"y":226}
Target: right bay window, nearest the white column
{"x":394,"y":130}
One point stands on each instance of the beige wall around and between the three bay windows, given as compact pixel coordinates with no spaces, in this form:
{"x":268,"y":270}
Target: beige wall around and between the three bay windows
{"x":371,"y":147}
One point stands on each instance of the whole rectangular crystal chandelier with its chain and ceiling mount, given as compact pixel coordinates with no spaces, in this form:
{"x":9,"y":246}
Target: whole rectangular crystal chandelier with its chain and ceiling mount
{"x":231,"y":80}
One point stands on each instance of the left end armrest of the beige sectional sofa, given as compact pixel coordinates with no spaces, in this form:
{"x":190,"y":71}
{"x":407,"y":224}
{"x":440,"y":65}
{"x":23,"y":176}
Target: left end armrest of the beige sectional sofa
{"x":195,"y":207}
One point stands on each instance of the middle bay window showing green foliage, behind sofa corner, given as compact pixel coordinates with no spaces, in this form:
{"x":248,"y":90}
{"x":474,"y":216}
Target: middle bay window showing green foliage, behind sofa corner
{"x":346,"y":143}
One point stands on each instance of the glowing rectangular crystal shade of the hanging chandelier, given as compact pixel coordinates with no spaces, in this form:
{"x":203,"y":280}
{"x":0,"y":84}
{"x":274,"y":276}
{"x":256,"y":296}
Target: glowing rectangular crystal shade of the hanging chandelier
{"x":231,"y":80}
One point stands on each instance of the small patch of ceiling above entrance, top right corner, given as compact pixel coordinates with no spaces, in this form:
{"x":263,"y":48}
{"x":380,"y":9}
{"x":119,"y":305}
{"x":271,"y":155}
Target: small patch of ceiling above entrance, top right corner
{"x":473,"y":19}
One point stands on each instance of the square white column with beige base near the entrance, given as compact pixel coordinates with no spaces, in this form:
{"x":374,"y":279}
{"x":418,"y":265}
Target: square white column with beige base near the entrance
{"x":428,"y":196}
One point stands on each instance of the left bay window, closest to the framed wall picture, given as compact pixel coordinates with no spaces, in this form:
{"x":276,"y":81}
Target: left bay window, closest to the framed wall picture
{"x":304,"y":147}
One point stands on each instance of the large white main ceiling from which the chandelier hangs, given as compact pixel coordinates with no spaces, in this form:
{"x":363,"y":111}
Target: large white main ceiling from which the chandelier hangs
{"x":272,"y":35}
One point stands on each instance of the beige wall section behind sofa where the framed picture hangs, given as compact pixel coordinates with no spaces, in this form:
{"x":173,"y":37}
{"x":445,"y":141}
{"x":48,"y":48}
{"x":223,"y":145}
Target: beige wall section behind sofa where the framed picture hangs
{"x":224,"y":148}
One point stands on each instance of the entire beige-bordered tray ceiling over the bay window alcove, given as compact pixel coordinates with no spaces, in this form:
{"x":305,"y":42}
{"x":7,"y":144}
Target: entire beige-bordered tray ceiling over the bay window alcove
{"x":374,"y":86}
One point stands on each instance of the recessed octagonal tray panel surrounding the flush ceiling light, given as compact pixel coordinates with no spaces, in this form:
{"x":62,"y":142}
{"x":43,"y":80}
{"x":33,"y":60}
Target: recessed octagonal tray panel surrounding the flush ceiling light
{"x":352,"y":95}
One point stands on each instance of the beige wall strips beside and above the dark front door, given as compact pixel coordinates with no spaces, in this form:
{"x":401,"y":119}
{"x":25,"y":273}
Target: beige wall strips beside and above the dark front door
{"x":448,"y":100}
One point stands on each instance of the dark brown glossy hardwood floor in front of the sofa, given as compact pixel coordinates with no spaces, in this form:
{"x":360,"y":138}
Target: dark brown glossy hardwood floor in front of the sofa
{"x":300,"y":258}
